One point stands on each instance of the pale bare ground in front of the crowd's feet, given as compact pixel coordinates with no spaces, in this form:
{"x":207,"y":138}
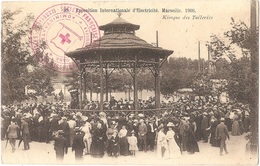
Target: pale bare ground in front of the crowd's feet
{"x":42,"y":153}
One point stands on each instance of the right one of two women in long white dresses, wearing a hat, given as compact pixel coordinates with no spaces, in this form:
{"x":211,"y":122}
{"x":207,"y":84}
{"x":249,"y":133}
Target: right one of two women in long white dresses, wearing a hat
{"x":172,"y":145}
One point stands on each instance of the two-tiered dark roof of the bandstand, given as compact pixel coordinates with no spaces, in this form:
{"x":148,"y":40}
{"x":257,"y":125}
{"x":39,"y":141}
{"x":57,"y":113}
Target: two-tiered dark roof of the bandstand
{"x":119,"y":44}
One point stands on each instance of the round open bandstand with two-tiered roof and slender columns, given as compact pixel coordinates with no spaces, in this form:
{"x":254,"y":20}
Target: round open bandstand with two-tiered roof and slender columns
{"x":119,"y":48}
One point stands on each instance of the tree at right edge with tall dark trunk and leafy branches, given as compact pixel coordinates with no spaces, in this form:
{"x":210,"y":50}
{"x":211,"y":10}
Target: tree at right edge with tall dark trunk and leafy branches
{"x":243,"y":77}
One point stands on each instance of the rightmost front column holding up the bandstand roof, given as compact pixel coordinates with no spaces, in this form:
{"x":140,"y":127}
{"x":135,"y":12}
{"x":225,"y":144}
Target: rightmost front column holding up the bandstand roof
{"x":157,"y":84}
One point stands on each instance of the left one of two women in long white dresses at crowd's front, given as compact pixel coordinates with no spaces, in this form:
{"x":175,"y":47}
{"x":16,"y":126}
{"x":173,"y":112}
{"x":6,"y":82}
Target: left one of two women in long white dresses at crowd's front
{"x":162,"y":146}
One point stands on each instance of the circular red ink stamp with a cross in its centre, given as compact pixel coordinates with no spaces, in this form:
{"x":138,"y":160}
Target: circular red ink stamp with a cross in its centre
{"x":63,"y":28}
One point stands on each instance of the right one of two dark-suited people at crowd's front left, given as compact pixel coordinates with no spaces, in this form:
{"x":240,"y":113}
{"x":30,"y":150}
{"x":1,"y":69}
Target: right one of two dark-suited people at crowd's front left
{"x":78,"y":145}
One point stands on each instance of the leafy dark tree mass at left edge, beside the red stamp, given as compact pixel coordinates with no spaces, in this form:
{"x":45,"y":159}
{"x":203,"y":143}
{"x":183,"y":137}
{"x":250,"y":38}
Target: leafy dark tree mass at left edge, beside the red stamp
{"x":19,"y":65}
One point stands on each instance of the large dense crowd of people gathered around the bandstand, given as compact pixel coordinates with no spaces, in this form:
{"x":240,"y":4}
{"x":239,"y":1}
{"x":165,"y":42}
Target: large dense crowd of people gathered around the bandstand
{"x":175,"y":130}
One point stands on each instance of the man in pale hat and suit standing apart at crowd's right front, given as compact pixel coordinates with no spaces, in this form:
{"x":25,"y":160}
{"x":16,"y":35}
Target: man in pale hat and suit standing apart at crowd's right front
{"x":222,"y":135}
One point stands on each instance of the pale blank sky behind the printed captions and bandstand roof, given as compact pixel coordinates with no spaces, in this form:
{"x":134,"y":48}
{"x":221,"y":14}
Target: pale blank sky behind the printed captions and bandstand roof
{"x":180,"y":35}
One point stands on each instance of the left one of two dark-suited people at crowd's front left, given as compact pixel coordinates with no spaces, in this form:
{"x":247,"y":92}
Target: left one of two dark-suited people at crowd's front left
{"x":60,"y":145}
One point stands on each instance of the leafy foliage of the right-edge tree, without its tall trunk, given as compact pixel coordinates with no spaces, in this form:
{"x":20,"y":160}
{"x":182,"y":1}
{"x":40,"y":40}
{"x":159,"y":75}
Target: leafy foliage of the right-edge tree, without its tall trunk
{"x":242,"y":82}
